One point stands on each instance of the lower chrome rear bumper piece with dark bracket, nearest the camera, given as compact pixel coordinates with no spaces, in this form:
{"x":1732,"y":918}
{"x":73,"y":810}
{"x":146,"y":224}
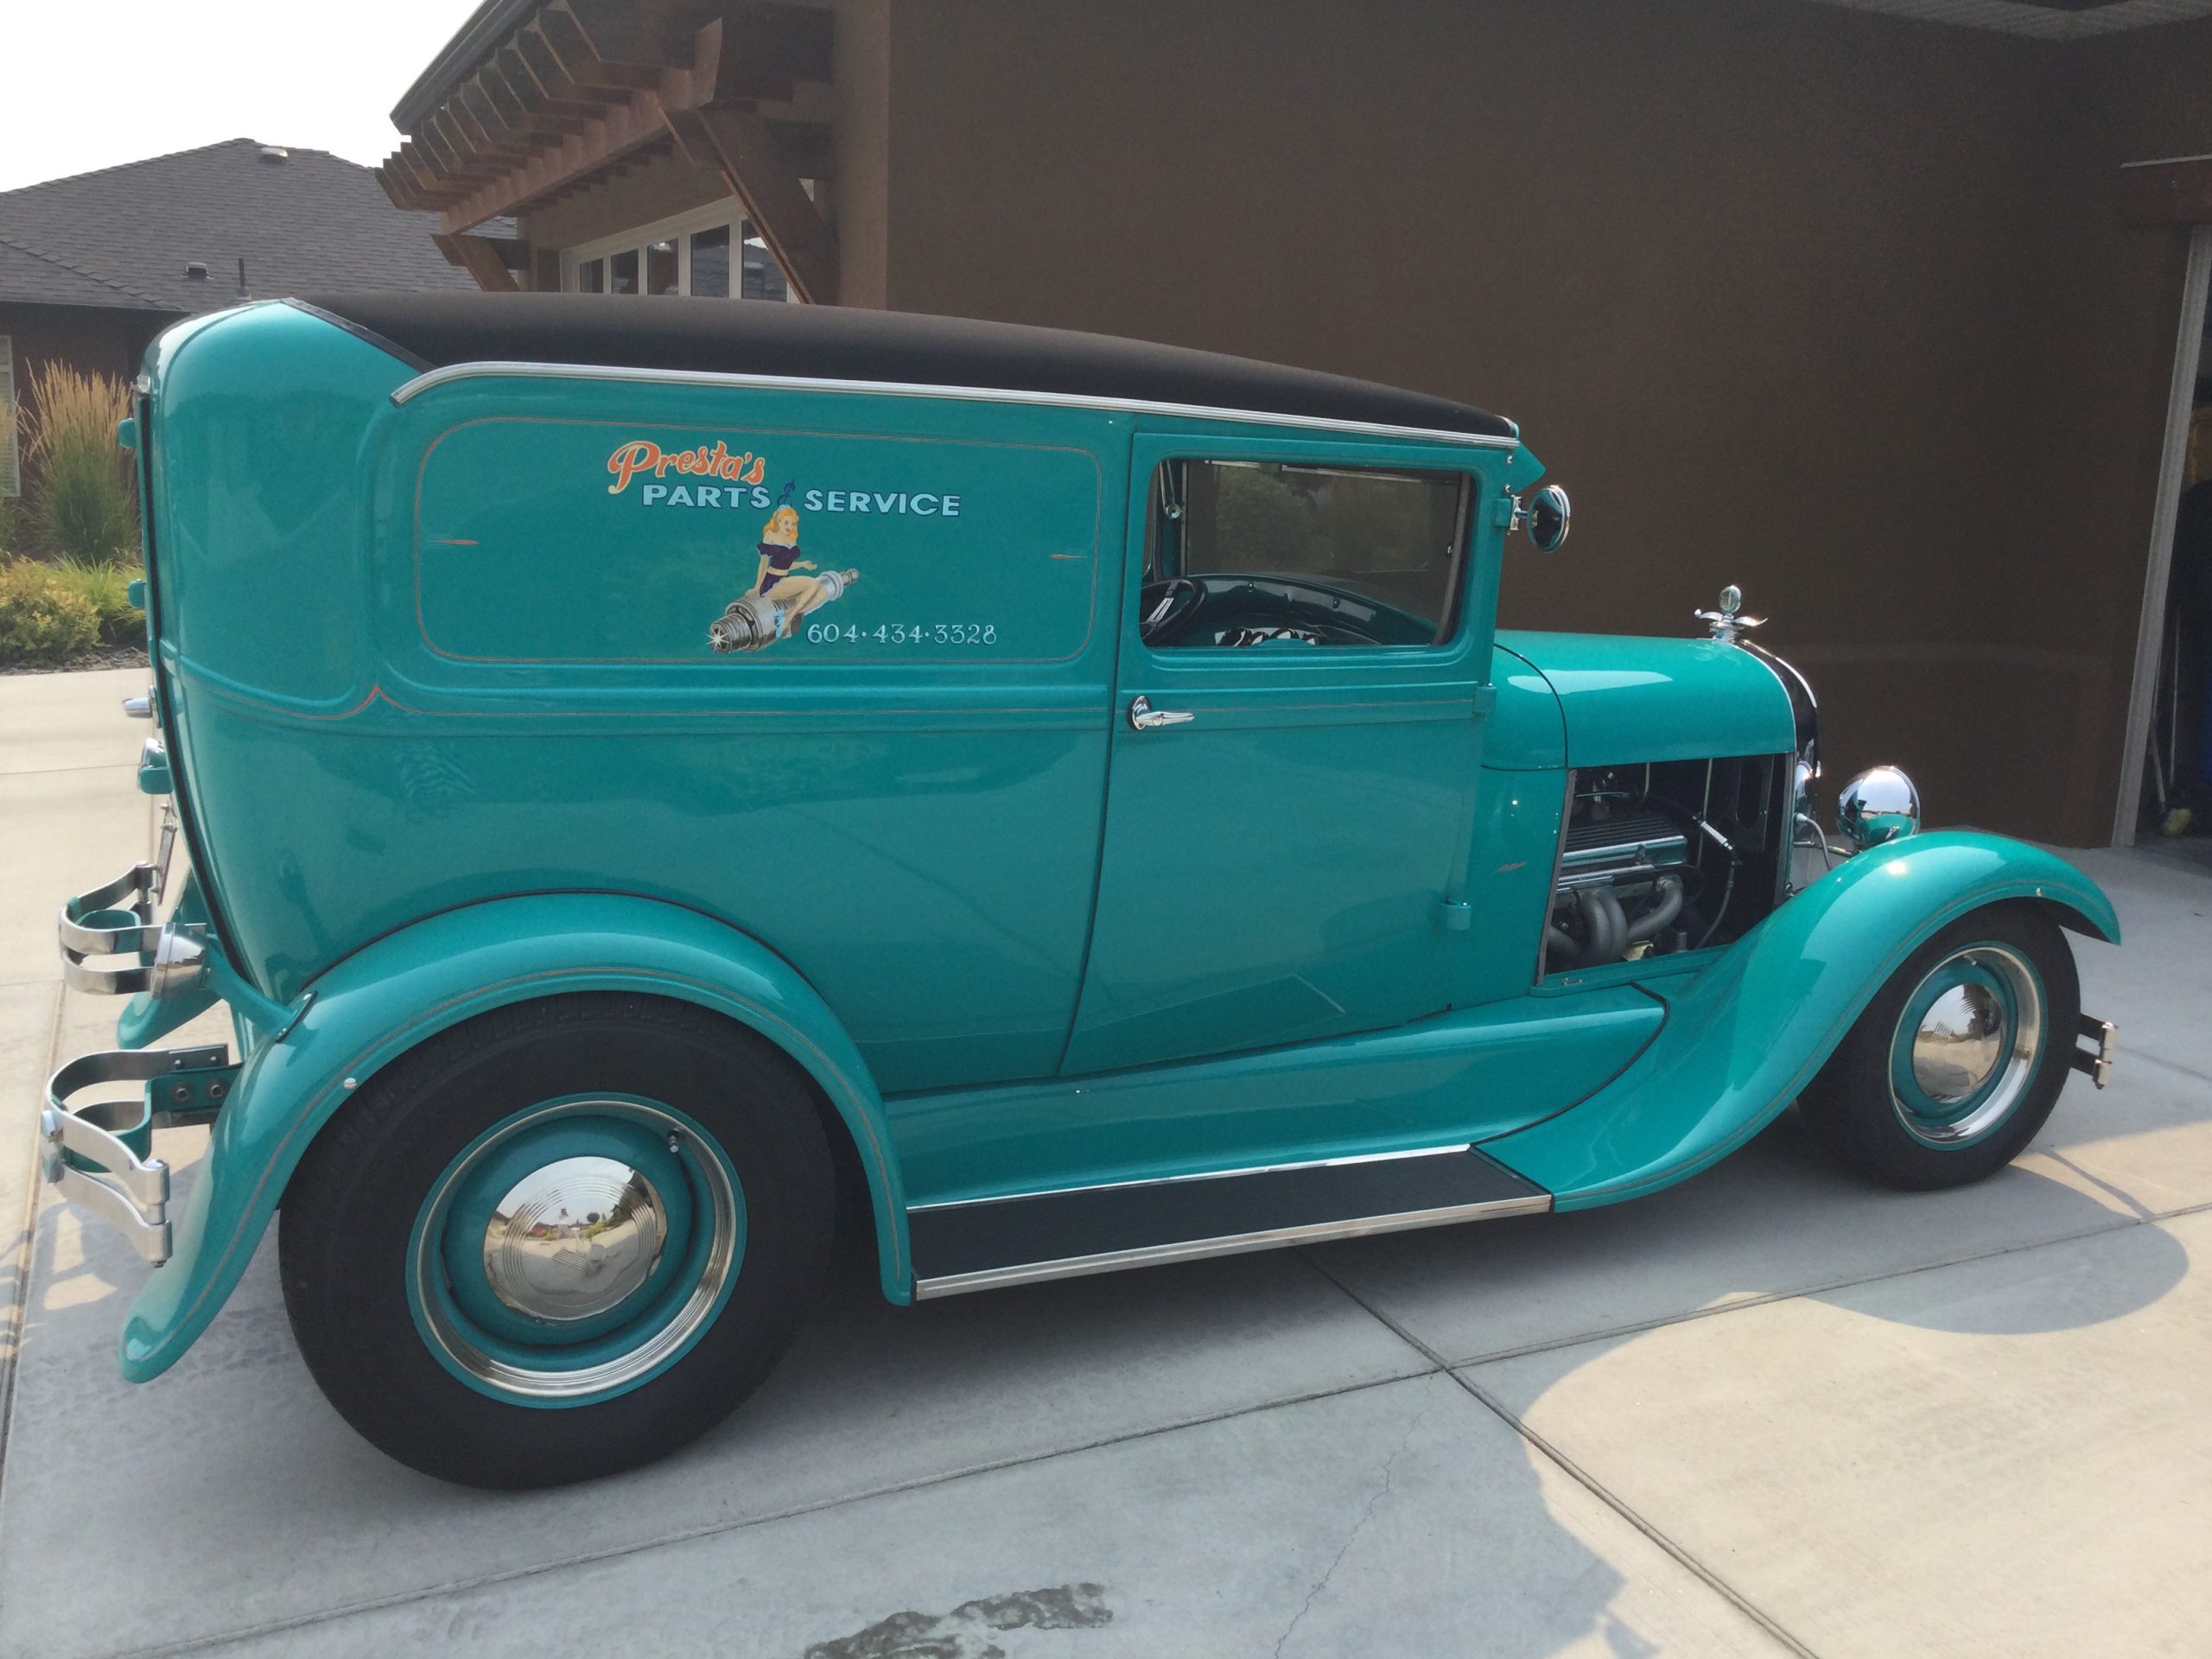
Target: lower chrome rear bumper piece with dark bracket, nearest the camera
{"x":101,"y":1154}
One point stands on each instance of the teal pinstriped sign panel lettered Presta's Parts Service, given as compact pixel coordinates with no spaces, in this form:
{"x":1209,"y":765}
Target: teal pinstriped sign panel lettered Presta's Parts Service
{"x":585,"y":541}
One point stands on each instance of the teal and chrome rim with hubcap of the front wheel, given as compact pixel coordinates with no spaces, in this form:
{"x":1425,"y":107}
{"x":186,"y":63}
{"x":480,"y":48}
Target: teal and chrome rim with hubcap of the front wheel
{"x":1968,"y":1045}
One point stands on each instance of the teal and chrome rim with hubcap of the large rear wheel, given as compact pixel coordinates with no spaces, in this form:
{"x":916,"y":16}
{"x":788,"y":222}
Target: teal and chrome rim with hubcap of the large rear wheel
{"x":576,"y":1251}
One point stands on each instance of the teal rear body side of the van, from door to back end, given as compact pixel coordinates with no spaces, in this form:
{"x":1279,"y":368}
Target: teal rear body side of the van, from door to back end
{"x":490,"y":674}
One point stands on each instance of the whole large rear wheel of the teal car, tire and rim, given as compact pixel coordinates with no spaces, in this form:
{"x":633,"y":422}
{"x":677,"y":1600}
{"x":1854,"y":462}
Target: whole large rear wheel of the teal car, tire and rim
{"x":561,"y":1240}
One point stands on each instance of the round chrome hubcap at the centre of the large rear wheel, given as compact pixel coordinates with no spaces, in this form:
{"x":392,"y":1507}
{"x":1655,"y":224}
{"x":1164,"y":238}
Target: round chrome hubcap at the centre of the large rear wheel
{"x":574,"y":1240}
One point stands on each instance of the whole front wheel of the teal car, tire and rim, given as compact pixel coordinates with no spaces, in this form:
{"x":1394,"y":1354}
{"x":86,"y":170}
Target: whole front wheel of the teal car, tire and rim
{"x":1961,"y":1056}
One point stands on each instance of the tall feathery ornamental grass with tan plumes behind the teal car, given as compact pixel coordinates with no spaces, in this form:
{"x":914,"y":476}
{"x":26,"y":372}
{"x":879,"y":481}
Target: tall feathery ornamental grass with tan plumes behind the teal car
{"x":83,"y":503}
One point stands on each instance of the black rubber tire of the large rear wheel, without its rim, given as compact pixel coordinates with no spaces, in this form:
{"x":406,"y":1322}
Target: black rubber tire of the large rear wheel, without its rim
{"x":353,"y":1204}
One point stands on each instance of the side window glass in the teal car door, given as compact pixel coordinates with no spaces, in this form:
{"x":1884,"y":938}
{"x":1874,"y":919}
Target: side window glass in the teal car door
{"x":1275,"y":554}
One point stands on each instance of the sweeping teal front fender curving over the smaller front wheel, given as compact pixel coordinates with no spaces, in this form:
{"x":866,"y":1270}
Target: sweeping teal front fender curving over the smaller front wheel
{"x":1746,"y":1036}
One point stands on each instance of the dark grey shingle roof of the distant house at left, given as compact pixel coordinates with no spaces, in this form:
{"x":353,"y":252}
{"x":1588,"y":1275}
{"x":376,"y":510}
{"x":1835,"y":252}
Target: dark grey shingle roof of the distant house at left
{"x":127,"y":233}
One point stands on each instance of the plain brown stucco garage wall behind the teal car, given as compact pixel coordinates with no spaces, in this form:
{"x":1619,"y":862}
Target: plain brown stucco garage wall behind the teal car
{"x":1822,"y":302}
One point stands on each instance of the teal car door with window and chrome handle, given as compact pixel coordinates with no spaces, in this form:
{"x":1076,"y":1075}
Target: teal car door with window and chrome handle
{"x":1282,"y":848}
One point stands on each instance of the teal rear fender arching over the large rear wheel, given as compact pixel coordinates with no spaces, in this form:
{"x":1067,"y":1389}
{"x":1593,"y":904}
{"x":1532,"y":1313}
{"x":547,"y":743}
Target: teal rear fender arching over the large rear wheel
{"x":410,"y":985}
